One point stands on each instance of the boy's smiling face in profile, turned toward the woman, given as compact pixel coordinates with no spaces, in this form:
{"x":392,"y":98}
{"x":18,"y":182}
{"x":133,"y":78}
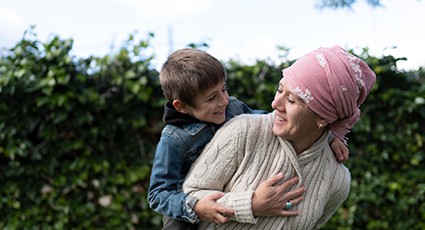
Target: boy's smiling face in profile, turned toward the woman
{"x":211,"y":105}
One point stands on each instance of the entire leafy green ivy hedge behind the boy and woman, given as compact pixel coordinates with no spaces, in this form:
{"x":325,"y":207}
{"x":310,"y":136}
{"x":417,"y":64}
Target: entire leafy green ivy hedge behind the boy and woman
{"x":77,"y":138}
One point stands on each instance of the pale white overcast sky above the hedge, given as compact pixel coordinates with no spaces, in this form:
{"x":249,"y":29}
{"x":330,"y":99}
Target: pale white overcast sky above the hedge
{"x":240,"y":29}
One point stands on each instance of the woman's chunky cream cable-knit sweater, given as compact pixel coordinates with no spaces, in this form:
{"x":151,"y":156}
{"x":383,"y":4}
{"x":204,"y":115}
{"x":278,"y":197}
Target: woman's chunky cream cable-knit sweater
{"x":246,"y":152}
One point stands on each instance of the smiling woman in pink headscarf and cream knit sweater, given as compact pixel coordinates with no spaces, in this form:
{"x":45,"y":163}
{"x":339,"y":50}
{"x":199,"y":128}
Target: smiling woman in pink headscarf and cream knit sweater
{"x":322,"y":91}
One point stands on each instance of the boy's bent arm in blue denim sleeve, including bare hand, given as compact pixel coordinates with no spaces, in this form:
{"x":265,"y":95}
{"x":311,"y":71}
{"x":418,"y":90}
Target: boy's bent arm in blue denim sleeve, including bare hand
{"x":165,"y":196}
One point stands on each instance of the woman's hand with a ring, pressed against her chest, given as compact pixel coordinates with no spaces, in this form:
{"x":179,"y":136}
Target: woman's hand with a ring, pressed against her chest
{"x":269,"y":200}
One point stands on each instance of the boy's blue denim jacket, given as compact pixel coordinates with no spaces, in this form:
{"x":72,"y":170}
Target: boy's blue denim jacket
{"x":179,"y":146}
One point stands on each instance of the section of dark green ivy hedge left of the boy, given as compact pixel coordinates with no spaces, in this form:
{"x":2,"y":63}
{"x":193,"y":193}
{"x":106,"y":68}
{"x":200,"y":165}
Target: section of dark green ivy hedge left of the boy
{"x":77,"y":138}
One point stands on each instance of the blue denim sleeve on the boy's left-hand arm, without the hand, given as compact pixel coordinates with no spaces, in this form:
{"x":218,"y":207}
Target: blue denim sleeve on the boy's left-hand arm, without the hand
{"x":165,"y":195}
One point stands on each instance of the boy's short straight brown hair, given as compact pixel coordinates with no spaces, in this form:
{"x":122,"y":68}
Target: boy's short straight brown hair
{"x":189,"y":72}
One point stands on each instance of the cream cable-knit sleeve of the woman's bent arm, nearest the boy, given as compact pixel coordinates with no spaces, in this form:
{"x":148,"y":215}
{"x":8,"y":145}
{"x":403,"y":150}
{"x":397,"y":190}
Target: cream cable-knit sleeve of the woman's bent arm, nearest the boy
{"x":214,"y":169}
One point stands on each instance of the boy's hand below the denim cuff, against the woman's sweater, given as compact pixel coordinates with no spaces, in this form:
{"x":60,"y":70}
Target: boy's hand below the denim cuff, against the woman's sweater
{"x":208,"y":210}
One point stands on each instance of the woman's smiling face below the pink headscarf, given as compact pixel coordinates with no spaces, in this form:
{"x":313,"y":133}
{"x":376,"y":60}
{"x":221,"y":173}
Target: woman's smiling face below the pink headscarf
{"x":294,"y":120}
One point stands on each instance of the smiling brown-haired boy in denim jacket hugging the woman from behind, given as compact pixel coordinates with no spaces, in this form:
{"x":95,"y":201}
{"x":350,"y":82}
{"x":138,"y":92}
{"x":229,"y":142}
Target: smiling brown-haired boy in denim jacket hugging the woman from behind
{"x":194,"y":83}
